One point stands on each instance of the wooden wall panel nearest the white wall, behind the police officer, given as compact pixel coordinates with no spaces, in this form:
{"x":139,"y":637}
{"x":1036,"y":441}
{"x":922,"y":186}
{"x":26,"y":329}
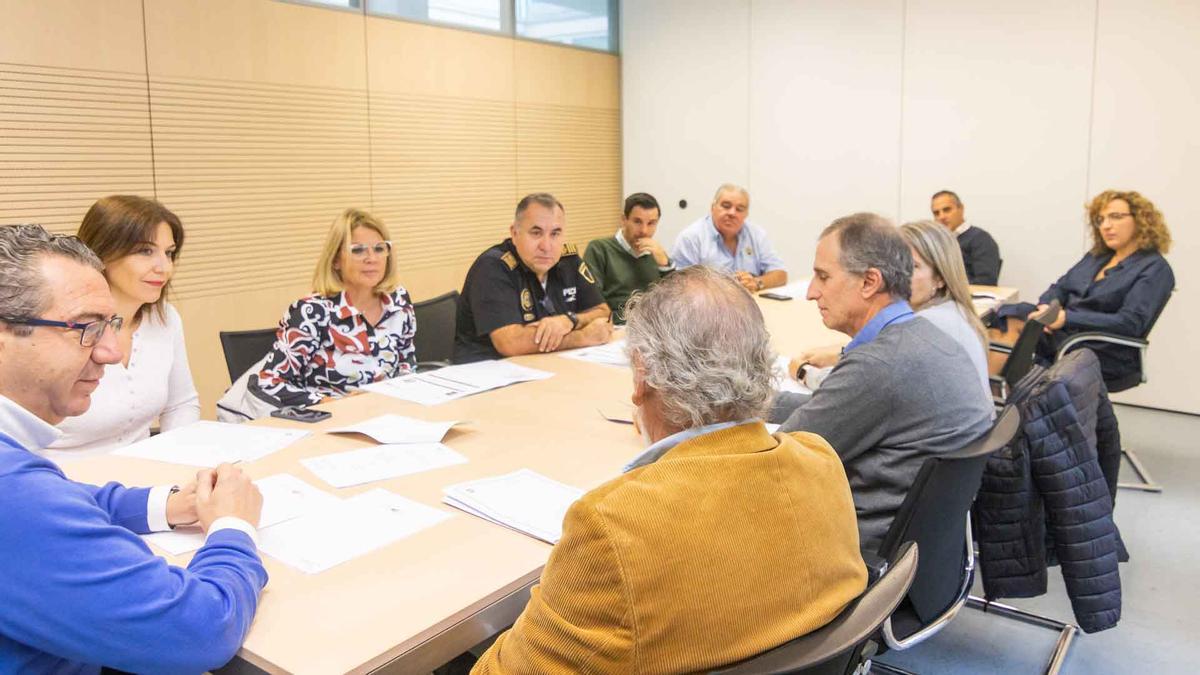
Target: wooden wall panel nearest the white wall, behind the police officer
{"x":569,"y":134}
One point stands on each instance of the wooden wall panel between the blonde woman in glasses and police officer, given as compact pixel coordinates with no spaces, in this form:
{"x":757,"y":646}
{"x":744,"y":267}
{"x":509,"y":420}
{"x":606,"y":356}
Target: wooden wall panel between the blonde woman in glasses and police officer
{"x":443,"y":144}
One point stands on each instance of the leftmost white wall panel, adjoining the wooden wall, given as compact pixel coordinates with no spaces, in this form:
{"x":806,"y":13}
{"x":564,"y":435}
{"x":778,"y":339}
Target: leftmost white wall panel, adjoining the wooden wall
{"x":685,"y":104}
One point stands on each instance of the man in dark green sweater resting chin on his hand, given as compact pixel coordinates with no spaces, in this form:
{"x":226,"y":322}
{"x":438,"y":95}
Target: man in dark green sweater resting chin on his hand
{"x":631,"y":260}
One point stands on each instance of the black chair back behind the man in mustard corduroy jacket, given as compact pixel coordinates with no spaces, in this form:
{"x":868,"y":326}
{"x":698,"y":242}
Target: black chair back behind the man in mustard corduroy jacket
{"x":844,"y":646}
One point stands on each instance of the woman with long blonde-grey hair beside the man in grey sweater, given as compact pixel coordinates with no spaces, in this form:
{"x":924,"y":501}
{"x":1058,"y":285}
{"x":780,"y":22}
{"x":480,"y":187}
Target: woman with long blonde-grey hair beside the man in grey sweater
{"x":941,"y":294}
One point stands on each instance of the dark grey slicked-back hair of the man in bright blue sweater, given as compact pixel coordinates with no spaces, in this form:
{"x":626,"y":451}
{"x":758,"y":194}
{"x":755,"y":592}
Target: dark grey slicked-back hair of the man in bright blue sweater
{"x":23,"y":289}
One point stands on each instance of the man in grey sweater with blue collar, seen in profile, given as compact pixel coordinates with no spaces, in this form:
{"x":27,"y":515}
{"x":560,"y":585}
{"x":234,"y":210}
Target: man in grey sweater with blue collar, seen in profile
{"x":903,"y":390}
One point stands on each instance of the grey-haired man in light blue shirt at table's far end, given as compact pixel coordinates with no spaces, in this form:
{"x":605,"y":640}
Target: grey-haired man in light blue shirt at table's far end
{"x":727,"y":241}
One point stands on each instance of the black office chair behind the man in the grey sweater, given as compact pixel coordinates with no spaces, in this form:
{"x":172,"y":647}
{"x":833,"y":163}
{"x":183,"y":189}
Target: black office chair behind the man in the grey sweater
{"x":937,"y":515}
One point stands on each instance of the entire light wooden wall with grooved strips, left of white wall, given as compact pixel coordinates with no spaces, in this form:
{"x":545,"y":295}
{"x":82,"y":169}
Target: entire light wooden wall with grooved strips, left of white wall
{"x":254,"y":121}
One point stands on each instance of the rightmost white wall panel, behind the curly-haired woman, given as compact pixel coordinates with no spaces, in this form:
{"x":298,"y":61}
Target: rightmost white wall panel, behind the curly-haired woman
{"x":1145,"y":139}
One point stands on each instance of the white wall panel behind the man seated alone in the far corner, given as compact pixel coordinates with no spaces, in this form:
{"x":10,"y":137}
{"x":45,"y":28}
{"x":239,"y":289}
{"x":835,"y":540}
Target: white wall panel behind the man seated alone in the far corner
{"x":997,"y":106}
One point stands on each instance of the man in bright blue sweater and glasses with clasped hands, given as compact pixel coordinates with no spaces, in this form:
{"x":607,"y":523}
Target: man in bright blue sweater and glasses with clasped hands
{"x":80,"y":589}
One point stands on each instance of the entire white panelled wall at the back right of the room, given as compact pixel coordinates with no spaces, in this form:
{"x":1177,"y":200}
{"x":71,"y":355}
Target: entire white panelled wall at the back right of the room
{"x":824,"y":109}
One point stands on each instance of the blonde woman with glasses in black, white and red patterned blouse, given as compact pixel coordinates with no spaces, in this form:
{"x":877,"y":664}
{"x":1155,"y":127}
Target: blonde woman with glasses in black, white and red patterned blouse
{"x":356,"y":328}
